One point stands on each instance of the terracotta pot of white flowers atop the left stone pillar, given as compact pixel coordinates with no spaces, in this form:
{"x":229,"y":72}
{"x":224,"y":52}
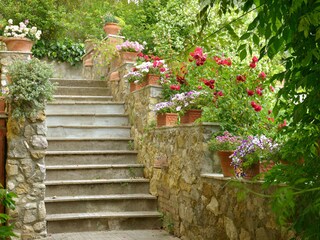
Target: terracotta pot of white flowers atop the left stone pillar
{"x":20,"y":37}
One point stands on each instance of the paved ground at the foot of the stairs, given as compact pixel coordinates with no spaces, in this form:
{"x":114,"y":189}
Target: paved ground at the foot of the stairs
{"x":115,"y":235}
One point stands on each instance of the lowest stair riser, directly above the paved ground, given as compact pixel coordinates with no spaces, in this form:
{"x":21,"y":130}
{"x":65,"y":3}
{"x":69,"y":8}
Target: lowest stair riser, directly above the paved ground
{"x":103,"y":224}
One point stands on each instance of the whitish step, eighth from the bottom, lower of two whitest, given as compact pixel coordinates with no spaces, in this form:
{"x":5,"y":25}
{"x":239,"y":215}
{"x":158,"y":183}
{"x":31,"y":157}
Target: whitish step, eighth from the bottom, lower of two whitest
{"x":87,"y":119}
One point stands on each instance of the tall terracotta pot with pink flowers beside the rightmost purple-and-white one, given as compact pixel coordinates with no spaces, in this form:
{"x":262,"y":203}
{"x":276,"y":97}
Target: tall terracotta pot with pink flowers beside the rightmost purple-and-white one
{"x":224,"y":145}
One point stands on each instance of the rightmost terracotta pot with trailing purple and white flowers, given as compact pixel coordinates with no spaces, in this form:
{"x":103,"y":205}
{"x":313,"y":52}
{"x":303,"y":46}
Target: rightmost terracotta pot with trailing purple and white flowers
{"x":254,"y":151}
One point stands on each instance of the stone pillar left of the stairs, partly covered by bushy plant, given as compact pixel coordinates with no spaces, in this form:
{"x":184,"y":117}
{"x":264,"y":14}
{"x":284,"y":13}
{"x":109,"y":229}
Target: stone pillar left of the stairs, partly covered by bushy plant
{"x":25,"y":166}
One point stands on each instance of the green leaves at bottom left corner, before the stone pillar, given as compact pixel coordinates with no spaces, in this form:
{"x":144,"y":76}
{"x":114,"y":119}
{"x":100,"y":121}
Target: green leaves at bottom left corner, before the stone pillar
{"x":6,"y":199}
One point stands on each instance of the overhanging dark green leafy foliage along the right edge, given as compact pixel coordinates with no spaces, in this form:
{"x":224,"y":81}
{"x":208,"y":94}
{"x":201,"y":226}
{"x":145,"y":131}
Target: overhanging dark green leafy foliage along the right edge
{"x":291,"y":29}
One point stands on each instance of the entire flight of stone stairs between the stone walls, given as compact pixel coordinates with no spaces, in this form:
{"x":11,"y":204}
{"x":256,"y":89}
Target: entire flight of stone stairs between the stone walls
{"x":93,"y":181}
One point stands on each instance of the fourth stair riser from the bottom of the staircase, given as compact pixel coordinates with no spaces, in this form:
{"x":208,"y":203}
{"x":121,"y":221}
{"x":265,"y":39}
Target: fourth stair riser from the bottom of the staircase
{"x":92,"y":174}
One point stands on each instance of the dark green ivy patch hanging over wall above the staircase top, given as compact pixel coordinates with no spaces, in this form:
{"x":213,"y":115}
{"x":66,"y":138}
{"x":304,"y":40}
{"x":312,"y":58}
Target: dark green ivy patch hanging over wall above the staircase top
{"x":65,"y":50}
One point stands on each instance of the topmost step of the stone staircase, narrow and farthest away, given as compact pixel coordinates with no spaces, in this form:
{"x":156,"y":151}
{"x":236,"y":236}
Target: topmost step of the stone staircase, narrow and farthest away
{"x":79,"y":82}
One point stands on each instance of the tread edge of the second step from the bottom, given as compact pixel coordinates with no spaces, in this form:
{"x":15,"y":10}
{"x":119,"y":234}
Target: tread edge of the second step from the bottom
{"x":100,"y":197}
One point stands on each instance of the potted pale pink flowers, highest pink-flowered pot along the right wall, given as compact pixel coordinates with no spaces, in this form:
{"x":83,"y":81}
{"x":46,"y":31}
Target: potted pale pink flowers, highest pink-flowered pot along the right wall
{"x":129,"y":50}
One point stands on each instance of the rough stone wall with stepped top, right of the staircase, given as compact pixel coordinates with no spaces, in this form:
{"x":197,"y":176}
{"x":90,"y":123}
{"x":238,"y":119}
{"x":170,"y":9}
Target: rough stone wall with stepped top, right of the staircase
{"x":196,"y":201}
